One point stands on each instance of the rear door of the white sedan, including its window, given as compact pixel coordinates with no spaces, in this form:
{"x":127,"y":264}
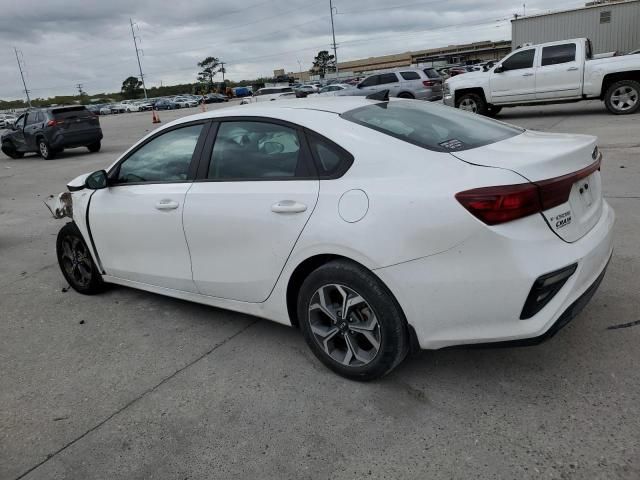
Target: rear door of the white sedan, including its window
{"x":243,"y":218}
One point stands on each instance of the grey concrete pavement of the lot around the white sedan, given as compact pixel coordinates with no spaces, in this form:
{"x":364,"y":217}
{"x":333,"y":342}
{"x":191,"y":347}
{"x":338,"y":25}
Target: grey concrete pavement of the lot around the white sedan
{"x":131,"y":385}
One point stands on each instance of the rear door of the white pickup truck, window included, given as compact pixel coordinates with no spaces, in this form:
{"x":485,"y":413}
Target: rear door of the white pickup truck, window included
{"x":560,"y":73}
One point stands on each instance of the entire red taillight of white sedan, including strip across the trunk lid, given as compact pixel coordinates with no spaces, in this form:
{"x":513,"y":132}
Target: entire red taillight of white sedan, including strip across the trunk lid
{"x":495,"y":205}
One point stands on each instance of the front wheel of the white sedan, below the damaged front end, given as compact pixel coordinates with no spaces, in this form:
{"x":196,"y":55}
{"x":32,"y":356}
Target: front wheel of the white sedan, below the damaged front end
{"x":76,"y":262}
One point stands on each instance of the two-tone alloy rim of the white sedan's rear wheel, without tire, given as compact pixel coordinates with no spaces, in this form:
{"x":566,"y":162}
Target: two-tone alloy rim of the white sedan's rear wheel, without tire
{"x":344,"y":325}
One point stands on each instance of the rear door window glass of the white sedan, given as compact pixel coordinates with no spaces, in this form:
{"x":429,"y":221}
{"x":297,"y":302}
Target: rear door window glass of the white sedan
{"x":255,"y":150}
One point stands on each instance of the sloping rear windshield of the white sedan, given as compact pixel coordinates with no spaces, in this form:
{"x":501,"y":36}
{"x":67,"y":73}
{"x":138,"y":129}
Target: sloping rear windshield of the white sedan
{"x":434,"y":127}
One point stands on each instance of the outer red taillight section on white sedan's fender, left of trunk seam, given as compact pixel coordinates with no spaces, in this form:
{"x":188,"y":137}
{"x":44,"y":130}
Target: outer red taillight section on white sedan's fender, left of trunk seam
{"x":494,"y":205}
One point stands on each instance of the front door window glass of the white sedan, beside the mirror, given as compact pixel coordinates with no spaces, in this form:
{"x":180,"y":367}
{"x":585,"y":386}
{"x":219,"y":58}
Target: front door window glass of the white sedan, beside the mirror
{"x":166,"y":158}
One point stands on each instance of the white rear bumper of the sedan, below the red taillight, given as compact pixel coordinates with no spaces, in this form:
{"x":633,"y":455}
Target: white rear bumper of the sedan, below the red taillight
{"x":474,"y":293}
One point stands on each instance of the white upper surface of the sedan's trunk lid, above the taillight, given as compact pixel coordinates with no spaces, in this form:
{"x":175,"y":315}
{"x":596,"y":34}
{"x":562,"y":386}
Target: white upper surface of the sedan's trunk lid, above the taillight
{"x":535,"y":155}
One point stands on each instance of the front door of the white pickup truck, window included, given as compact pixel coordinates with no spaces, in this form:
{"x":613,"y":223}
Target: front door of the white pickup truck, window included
{"x":514,"y":79}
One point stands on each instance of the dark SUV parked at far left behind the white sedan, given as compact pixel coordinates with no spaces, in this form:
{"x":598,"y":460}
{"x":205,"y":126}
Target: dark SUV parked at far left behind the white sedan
{"x":48,"y":131}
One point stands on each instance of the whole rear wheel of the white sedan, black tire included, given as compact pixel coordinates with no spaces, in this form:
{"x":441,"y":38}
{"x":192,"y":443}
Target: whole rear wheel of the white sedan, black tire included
{"x":378,"y":304}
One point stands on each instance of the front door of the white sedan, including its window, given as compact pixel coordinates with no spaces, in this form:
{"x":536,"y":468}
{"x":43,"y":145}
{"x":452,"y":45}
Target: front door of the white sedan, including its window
{"x":136,"y":222}
